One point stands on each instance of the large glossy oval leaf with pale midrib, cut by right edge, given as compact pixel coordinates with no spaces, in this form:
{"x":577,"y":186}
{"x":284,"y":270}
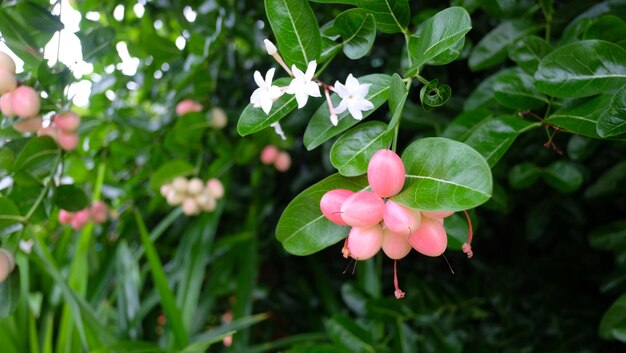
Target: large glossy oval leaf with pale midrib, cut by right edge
{"x":582,"y":69}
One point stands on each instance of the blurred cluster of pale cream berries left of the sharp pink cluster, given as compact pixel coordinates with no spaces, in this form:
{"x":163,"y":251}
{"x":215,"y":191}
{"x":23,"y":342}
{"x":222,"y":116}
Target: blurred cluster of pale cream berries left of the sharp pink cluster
{"x":194,"y":194}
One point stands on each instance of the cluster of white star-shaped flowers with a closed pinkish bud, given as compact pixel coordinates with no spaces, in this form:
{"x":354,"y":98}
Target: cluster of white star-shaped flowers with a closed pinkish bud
{"x":303,"y":86}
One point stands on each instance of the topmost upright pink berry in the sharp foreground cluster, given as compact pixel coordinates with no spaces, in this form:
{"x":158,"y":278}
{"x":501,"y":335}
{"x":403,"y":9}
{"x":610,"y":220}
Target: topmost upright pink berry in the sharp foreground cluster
{"x":386,"y":173}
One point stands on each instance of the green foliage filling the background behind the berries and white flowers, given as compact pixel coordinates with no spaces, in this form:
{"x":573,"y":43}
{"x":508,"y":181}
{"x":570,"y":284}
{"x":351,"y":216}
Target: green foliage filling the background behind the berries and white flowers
{"x":549,"y":261}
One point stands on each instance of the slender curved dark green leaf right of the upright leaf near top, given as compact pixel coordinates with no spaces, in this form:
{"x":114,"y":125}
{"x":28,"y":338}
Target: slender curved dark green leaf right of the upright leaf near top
{"x":492,"y":49}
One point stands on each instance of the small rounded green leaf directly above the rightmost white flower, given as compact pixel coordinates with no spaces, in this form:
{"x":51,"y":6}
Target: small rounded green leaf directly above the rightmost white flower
{"x":358,"y":30}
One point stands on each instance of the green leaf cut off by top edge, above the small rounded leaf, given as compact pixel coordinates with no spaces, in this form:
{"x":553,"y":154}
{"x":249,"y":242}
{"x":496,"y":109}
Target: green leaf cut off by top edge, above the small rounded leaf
{"x":392,"y":16}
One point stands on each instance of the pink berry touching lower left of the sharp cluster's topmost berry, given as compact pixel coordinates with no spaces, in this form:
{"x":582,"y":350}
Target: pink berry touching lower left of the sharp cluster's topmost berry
{"x":362,"y":209}
